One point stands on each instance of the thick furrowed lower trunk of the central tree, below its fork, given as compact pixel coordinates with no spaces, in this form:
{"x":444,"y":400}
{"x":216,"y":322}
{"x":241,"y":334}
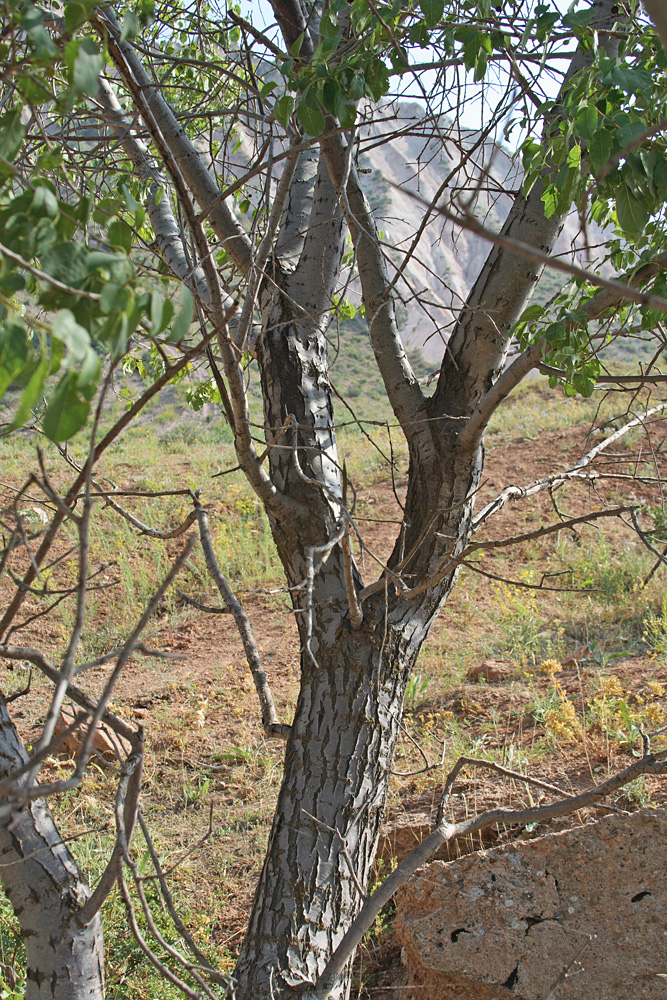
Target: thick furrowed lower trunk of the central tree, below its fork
{"x":329,"y":812}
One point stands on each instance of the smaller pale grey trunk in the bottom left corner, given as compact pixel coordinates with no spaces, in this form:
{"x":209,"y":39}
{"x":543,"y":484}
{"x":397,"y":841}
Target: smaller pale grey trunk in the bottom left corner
{"x":64,"y":960}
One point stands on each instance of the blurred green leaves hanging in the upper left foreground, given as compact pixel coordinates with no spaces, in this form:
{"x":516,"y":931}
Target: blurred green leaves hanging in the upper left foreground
{"x":69,"y":291}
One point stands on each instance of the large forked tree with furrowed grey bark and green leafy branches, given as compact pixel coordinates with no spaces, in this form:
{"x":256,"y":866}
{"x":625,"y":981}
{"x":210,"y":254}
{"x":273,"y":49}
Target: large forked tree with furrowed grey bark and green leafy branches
{"x":128,"y":187}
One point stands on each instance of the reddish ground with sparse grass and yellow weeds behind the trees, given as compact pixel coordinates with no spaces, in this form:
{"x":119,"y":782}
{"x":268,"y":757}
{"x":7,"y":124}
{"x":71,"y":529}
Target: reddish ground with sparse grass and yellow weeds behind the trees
{"x":584,"y":664}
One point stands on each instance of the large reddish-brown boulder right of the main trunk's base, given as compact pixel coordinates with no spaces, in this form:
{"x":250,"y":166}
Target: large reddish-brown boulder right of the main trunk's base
{"x":585,"y":909}
